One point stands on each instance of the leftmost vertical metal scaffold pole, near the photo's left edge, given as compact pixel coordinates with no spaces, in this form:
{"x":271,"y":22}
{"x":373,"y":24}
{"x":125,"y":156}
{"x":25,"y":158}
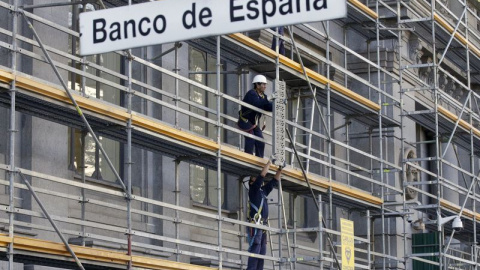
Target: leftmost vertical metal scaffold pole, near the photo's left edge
{"x":12,"y":131}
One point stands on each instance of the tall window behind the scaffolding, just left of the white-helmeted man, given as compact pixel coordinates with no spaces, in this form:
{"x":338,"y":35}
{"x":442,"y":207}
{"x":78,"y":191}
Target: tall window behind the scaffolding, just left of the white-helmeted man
{"x":203,"y":181}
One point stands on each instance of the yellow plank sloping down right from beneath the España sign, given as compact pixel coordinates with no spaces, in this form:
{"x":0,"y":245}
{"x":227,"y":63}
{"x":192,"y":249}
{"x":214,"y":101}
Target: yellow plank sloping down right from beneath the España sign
{"x":310,"y":73}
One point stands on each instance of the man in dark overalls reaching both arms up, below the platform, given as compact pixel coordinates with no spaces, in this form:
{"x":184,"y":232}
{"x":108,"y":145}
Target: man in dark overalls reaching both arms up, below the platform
{"x":258,"y":214}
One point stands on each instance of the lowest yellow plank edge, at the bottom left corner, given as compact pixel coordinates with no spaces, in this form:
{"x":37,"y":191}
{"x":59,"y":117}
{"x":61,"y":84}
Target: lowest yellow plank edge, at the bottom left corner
{"x":94,"y":254}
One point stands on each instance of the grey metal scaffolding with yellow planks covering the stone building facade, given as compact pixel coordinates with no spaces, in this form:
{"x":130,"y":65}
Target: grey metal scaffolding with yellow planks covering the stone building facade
{"x":383,"y":132}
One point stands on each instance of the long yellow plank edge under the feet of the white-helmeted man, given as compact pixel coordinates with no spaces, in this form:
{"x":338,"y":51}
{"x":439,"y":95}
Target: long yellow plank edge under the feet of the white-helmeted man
{"x":117,"y":113}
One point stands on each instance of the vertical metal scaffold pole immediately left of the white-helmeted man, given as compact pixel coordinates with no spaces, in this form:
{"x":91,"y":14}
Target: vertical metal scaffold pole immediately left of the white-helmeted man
{"x":219,"y":158}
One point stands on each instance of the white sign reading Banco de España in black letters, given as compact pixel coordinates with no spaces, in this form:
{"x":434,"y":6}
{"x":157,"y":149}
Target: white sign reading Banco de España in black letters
{"x":174,"y":20}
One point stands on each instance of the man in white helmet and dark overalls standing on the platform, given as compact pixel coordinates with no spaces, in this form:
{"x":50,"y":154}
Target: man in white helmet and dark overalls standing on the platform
{"x":249,"y":119}
